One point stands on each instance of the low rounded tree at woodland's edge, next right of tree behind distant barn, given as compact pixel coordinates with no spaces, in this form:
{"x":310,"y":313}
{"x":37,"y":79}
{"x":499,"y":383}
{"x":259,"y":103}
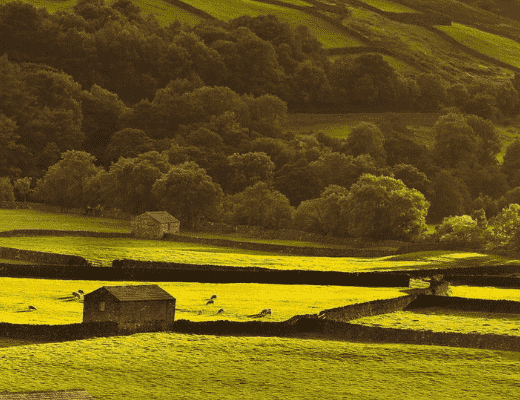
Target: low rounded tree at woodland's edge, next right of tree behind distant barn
{"x":259,"y":205}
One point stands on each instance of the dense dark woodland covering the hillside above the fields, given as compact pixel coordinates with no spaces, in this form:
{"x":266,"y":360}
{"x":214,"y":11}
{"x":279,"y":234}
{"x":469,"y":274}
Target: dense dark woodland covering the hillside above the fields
{"x":104,"y":107}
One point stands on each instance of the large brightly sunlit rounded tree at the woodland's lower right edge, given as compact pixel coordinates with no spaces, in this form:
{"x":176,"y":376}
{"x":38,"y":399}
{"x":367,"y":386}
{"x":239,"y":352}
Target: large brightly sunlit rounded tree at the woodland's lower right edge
{"x":384,"y":208}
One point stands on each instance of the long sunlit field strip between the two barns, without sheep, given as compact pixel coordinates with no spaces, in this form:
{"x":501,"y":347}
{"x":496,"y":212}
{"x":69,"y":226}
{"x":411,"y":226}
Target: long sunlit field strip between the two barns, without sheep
{"x":106,"y":250}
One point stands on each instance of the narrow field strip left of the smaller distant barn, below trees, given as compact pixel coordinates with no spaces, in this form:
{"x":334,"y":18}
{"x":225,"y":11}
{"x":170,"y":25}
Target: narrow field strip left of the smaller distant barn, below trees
{"x":31,"y":219}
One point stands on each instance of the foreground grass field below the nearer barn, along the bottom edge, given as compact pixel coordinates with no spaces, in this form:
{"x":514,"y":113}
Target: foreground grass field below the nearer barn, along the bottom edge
{"x":164,"y":366}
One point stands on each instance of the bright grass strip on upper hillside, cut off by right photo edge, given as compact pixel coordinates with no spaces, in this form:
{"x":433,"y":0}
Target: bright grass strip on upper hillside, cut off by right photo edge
{"x":495,"y":46}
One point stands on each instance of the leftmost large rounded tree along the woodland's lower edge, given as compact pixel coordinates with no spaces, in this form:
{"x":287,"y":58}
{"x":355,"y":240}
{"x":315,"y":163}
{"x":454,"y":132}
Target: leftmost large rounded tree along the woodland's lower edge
{"x":65,"y":182}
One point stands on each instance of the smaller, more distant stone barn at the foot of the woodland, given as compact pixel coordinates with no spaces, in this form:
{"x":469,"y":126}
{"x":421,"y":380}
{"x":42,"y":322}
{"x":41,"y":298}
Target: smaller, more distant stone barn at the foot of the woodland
{"x":154,"y":224}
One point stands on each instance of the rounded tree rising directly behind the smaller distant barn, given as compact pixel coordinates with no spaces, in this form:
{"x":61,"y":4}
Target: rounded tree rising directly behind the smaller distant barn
{"x":189,"y":194}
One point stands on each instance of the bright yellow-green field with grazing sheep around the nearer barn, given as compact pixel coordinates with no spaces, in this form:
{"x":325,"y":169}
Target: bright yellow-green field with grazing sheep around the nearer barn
{"x":55,"y":304}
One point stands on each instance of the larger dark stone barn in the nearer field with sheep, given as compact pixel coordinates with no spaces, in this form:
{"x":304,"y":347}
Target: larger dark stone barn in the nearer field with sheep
{"x":140,"y":308}
